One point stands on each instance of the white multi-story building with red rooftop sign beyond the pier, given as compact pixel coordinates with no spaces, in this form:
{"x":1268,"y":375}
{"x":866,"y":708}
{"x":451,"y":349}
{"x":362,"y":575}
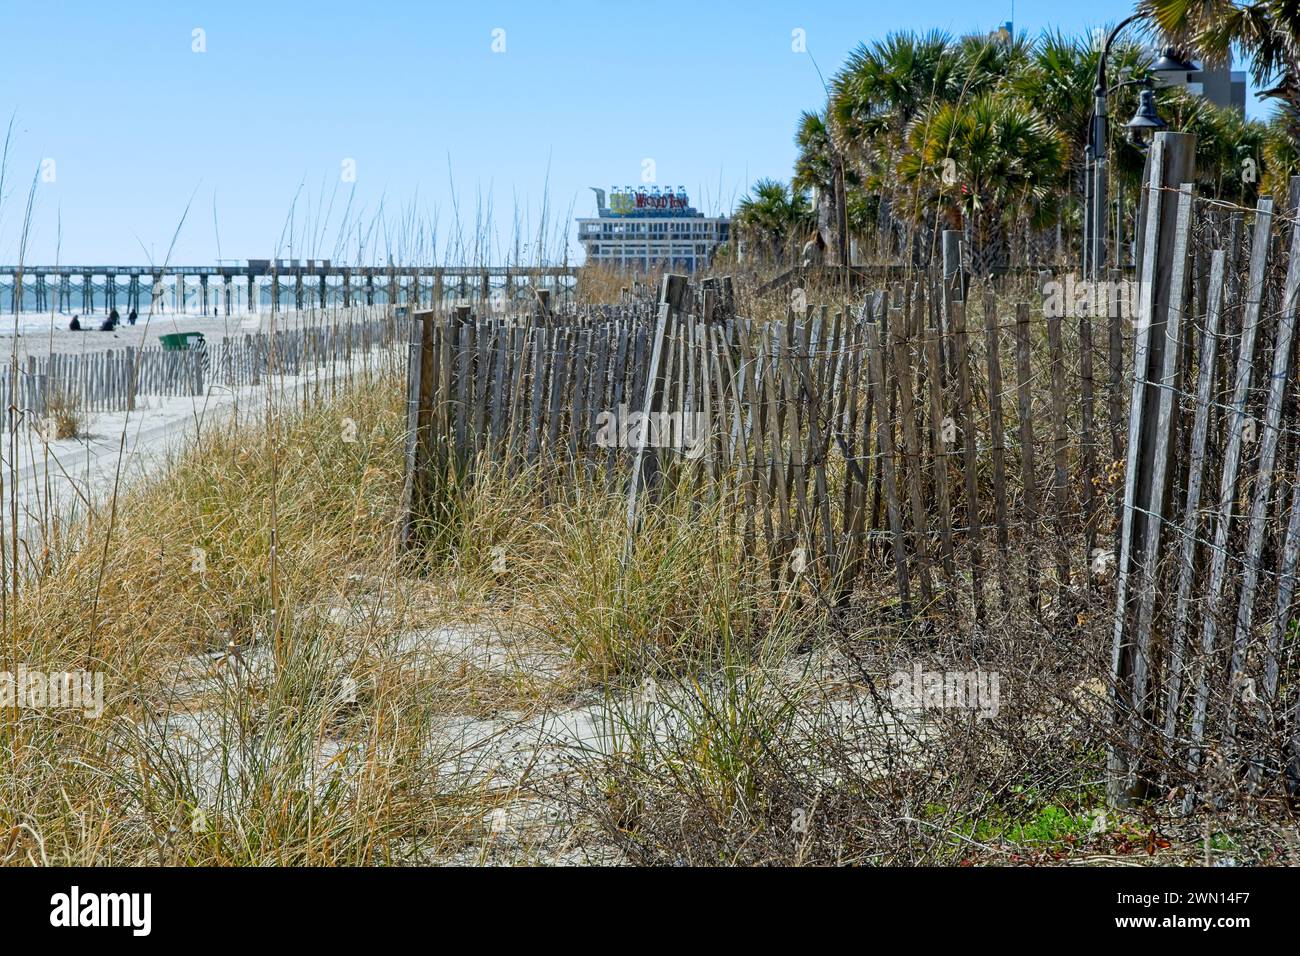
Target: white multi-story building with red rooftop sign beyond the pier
{"x":643,"y":228}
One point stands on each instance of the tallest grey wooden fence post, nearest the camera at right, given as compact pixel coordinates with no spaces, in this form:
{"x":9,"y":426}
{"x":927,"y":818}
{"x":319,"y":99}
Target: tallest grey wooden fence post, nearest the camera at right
{"x":1151,"y":426}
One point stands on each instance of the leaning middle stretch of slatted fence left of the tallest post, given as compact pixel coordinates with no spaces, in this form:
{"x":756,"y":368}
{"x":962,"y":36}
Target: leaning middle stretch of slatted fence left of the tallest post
{"x":911,"y":435}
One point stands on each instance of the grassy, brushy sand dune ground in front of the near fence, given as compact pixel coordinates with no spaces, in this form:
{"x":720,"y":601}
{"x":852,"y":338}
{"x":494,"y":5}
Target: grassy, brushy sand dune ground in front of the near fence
{"x":255,"y":591}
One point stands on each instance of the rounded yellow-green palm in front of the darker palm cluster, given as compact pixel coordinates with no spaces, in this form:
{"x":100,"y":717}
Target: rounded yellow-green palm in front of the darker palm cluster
{"x":983,"y":166}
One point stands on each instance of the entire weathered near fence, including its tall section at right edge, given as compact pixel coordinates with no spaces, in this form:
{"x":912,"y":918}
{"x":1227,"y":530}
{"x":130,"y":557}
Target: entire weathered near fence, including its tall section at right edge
{"x":983,"y":457}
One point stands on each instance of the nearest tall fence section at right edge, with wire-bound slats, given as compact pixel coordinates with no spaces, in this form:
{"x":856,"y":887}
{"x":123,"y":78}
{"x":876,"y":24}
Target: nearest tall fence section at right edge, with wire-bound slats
{"x":1204,"y":652}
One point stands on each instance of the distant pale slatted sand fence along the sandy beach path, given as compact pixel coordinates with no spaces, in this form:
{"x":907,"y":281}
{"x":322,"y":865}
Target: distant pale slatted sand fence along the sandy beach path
{"x":114,"y":379}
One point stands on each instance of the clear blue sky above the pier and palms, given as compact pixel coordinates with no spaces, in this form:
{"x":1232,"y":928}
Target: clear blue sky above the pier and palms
{"x":437,"y":124}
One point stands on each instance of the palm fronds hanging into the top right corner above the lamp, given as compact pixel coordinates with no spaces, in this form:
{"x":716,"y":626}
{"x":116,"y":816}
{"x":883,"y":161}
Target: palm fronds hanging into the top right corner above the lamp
{"x":1267,"y":32}
